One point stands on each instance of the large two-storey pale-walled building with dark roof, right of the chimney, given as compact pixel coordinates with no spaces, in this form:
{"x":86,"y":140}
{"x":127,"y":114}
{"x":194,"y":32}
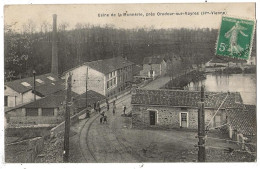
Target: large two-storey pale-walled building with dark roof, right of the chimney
{"x":107,"y":77}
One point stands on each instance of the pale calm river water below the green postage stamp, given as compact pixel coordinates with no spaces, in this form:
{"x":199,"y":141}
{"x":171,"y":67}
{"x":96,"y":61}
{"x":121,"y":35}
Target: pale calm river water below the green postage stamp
{"x":243,"y":83}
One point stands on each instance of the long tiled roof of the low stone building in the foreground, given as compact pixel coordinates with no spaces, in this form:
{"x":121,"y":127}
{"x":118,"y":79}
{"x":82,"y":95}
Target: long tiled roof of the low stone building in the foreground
{"x":184,"y":98}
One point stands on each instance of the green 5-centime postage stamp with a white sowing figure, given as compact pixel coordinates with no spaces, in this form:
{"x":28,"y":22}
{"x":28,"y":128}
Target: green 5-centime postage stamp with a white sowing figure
{"x":235,"y":38}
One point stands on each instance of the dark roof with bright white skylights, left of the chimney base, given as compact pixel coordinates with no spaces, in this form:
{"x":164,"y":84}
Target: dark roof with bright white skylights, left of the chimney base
{"x":45,"y":84}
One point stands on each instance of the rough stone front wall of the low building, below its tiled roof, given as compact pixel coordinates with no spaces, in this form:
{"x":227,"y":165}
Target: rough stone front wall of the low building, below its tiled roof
{"x":169,"y":117}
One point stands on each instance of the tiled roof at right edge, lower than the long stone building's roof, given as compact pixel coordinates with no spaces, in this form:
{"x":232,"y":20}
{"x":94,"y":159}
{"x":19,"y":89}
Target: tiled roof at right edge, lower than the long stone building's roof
{"x":243,"y":119}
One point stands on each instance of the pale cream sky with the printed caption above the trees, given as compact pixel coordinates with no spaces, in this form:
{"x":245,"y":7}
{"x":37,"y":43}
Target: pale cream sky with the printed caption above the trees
{"x":74,"y":14}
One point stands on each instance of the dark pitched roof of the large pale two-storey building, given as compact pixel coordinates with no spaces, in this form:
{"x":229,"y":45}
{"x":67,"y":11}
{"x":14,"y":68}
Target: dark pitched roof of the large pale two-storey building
{"x":105,"y":66}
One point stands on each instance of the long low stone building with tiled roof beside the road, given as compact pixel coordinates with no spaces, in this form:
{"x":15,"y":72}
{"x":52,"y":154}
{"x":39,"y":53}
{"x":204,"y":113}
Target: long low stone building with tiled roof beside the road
{"x":178,"y":108}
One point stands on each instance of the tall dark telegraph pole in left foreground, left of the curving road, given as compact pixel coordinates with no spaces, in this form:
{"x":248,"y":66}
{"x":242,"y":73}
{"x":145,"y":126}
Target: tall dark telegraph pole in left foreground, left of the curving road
{"x":67,"y":122}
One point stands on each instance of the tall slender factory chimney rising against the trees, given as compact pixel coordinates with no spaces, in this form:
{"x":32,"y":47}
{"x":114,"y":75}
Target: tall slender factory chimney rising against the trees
{"x":54,"y":63}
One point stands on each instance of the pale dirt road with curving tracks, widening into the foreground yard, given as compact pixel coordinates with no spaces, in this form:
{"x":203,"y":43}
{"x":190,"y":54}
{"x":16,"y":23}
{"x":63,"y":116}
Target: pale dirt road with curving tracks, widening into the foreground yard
{"x":117,"y":142}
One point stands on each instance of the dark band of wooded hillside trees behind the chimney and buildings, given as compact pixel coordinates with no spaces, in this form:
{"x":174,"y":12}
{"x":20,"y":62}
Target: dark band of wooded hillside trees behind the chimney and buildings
{"x":30,"y":50}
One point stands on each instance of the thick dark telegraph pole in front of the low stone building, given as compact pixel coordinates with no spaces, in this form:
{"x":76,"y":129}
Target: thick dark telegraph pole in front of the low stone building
{"x":201,"y":128}
